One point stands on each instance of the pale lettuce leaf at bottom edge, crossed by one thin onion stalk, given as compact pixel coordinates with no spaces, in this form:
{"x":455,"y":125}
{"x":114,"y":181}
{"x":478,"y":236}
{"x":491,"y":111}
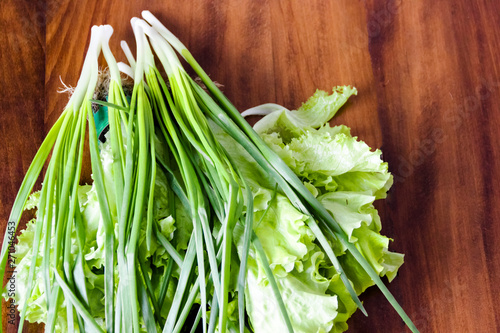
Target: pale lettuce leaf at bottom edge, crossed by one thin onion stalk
{"x":296,"y":262}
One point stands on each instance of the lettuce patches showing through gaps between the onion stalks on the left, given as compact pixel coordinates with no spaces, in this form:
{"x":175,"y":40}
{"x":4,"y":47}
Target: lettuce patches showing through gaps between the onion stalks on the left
{"x":156,"y":256}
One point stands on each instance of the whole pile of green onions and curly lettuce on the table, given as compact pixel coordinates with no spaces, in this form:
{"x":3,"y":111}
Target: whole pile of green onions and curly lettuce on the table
{"x":195,"y":220}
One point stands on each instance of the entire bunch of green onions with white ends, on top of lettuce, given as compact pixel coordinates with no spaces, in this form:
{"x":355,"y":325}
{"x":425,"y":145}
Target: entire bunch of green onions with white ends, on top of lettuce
{"x":169,"y":114}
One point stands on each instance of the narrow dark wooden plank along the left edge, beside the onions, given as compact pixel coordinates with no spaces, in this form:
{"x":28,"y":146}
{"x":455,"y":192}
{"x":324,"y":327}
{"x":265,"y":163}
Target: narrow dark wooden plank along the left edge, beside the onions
{"x":22,"y":106}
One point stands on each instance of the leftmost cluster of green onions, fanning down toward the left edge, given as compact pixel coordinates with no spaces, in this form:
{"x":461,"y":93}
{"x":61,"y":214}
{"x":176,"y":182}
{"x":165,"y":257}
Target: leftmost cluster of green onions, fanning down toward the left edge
{"x":59,"y":211}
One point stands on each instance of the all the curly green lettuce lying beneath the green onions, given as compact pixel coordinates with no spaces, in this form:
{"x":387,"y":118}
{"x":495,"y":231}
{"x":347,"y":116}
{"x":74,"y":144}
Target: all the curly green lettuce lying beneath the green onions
{"x":342,"y":172}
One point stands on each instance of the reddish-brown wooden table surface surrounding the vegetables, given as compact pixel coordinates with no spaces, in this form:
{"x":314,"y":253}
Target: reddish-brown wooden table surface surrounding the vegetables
{"x":428,"y":77}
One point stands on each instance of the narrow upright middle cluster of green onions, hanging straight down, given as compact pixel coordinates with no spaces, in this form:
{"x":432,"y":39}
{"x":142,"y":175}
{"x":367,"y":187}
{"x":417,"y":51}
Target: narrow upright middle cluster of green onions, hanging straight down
{"x":136,"y":202}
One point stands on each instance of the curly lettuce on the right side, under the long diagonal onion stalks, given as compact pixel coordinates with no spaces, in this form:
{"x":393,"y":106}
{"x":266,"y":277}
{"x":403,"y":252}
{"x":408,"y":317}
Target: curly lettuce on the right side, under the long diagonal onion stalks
{"x":346,"y":176}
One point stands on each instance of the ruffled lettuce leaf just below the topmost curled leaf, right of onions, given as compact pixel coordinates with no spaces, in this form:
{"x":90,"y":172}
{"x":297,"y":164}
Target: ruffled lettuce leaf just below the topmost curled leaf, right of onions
{"x":331,"y":159}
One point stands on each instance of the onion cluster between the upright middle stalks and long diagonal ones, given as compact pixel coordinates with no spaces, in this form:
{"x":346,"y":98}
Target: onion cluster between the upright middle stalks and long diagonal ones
{"x":201,"y":160}
